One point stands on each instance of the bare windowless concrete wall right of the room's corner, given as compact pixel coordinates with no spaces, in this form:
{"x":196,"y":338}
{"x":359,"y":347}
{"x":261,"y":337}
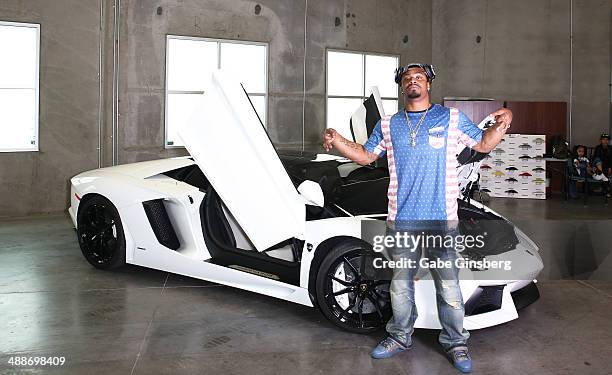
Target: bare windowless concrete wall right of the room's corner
{"x":524,"y":54}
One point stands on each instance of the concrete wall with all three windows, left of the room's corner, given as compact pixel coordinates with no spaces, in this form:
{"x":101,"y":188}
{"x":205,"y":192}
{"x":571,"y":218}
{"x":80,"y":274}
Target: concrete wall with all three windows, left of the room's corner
{"x":38,"y":182}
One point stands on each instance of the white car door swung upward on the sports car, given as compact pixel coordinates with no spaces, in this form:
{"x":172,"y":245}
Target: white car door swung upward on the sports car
{"x":229,"y":144}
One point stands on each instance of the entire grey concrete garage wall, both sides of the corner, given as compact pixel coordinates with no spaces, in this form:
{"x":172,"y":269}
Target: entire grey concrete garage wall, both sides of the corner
{"x":102,"y":69}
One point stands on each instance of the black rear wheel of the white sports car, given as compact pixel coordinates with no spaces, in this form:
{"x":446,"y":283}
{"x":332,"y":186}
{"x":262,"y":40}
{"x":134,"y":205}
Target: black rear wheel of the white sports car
{"x":100,"y":233}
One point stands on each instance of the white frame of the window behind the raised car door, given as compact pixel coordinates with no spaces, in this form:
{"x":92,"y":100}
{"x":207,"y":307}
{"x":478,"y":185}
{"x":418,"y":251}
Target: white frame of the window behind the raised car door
{"x":219,"y":42}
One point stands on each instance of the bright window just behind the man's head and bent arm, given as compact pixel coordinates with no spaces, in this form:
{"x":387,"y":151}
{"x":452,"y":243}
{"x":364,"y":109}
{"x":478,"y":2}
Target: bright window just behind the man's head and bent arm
{"x":350,"y":75}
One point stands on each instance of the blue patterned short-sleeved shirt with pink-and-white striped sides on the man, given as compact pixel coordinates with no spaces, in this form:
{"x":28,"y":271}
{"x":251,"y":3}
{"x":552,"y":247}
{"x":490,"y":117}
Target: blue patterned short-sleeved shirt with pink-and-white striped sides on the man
{"x":423,"y":181}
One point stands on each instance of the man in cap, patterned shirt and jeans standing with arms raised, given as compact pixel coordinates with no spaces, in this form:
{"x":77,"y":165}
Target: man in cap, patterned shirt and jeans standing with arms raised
{"x":421,"y":144}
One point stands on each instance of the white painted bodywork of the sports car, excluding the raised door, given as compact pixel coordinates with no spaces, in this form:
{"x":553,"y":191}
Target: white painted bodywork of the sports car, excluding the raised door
{"x":193,"y":259}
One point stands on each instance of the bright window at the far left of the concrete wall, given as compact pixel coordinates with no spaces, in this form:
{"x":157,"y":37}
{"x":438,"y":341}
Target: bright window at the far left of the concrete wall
{"x":19,"y":51}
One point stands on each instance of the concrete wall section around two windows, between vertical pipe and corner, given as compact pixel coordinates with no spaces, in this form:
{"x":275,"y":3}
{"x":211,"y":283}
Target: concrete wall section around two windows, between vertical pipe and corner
{"x":292,"y":112}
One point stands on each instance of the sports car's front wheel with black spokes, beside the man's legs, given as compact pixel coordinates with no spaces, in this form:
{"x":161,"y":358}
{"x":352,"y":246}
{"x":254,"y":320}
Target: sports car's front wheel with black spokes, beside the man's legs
{"x":345,"y":296}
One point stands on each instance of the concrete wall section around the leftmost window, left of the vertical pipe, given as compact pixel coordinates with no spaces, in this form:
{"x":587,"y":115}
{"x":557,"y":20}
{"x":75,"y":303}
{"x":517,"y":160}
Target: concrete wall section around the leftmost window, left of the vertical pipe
{"x":32,"y":182}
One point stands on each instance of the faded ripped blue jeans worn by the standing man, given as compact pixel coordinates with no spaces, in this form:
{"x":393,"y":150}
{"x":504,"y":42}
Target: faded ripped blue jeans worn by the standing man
{"x":448,"y":294}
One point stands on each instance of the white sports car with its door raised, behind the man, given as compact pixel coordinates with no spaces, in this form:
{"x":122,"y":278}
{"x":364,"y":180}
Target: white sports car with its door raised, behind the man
{"x":236,"y":213}
